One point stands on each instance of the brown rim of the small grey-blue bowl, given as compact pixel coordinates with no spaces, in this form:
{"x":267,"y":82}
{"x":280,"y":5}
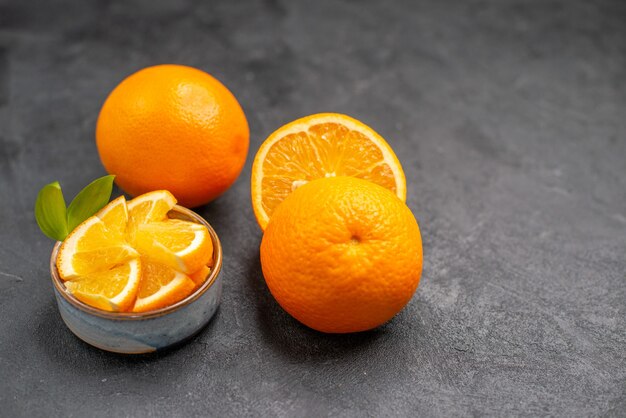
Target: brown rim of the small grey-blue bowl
{"x":208,"y":283}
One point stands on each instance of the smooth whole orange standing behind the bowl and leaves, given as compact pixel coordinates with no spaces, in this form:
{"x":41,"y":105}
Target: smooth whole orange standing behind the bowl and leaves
{"x":176,"y":128}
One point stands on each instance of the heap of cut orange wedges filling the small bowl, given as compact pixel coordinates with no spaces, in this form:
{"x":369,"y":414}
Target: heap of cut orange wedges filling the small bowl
{"x":132,"y":256}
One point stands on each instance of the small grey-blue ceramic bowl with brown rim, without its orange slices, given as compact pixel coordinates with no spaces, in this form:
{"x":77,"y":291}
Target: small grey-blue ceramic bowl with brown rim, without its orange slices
{"x":135,"y":333}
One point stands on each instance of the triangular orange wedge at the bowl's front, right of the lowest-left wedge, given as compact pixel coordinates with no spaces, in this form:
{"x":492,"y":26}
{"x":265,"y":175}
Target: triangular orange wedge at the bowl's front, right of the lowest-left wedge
{"x":161,"y":286}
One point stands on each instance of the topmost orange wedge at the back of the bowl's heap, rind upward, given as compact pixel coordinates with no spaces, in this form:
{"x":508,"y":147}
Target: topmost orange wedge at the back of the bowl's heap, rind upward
{"x":149,"y":207}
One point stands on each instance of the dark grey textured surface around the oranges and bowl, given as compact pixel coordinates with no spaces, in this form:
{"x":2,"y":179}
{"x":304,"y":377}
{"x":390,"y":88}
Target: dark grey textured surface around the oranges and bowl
{"x":510,"y":120}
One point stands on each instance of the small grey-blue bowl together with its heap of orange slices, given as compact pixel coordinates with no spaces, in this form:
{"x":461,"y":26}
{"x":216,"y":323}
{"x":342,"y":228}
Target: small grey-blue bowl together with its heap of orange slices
{"x":139,"y":275}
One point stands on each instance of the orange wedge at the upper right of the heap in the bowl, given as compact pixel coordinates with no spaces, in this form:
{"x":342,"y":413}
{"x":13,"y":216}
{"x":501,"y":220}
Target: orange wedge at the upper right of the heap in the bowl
{"x":182,"y":245}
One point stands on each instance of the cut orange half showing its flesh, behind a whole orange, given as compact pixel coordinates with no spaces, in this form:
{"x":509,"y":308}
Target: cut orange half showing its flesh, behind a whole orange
{"x":320,"y":146}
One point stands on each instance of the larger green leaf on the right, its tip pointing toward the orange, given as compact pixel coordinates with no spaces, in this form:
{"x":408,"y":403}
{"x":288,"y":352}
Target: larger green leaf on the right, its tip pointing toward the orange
{"x":89,"y":201}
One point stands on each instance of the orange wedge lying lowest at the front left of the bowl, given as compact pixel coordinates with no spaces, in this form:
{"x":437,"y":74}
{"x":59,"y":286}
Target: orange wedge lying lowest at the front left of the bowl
{"x":111,"y":290}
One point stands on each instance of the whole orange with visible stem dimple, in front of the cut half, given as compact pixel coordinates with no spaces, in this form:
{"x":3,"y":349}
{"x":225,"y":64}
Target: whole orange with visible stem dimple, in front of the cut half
{"x":342,"y":254}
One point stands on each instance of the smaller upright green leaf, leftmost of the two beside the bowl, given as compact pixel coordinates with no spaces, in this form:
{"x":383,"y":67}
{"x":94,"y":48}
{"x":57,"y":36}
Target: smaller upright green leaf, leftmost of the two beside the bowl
{"x":50,"y":212}
